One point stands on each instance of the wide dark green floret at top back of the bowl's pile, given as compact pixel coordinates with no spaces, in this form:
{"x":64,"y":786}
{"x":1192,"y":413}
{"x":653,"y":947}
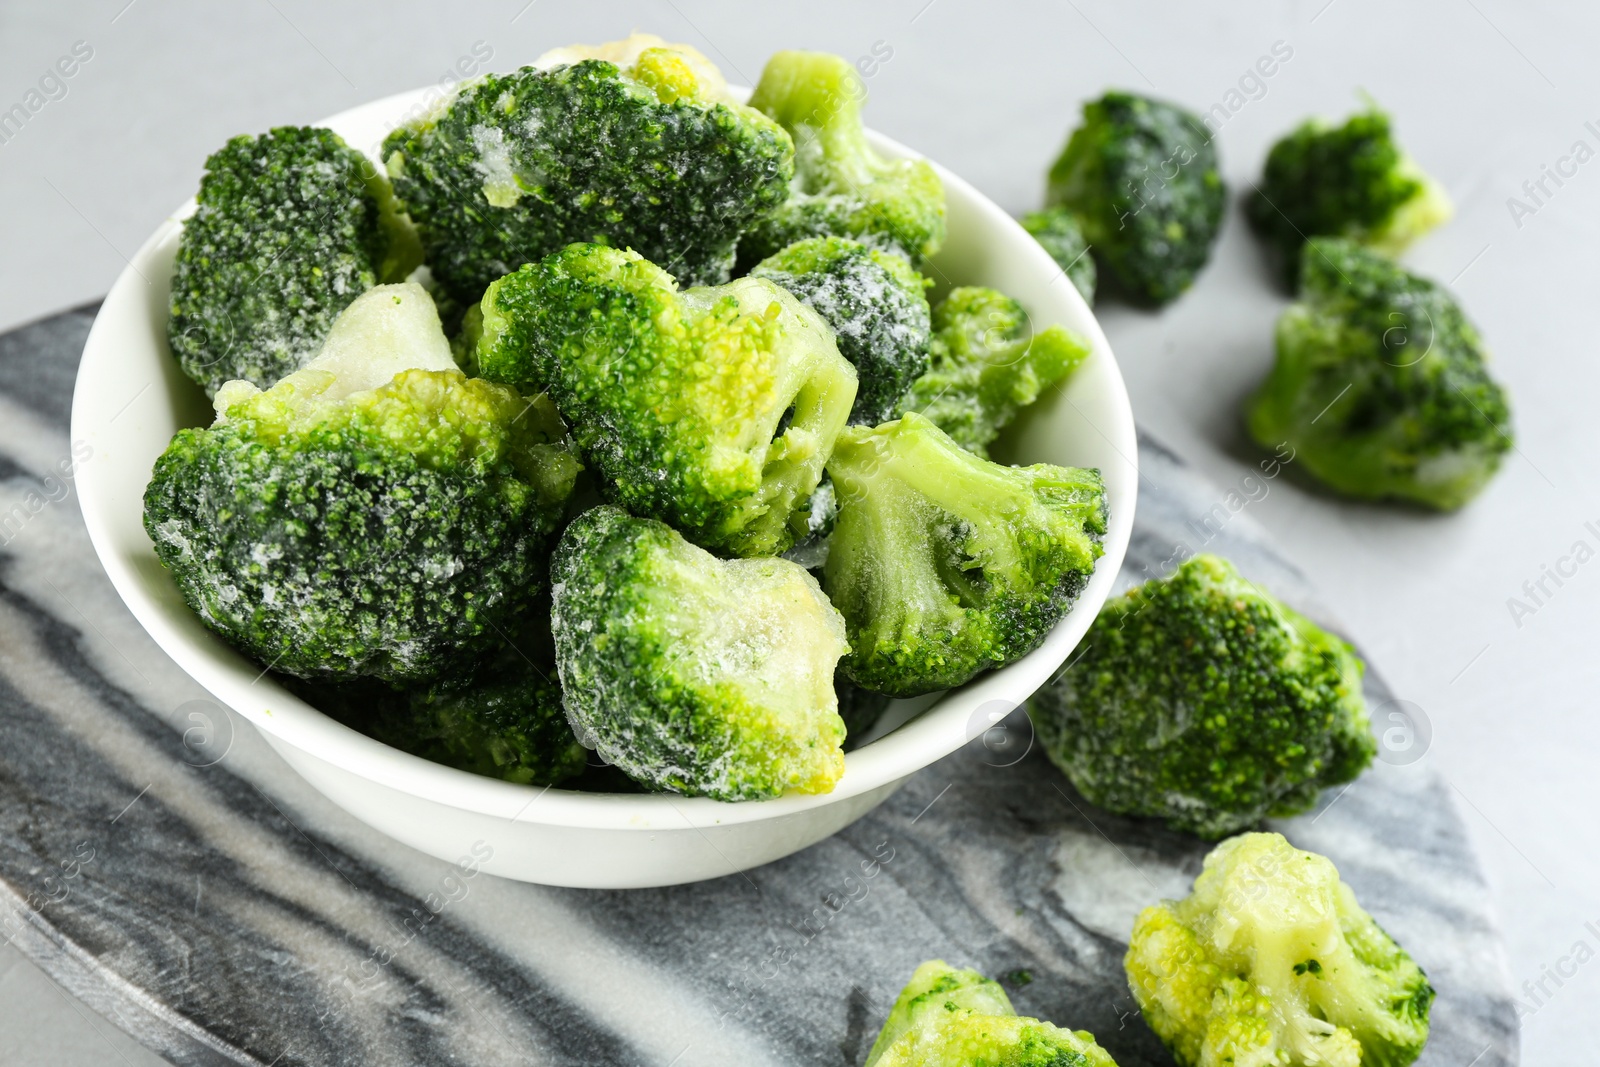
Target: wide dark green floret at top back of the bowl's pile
{"x":518,"y":166}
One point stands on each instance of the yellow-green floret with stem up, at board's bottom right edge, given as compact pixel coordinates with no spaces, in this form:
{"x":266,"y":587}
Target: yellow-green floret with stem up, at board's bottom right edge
{"x":1271,"y":961}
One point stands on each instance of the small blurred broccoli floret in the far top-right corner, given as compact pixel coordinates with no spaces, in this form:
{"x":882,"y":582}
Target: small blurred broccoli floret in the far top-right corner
{"x":1345,"y":182}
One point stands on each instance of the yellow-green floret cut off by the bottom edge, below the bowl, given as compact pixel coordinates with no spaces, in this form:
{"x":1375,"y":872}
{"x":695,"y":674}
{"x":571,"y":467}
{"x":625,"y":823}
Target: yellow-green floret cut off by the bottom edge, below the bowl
{"x":956,"y":1018}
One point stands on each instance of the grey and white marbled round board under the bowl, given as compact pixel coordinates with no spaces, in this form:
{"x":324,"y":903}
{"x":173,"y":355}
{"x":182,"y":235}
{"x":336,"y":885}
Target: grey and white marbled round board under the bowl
{"x":162,"y":865}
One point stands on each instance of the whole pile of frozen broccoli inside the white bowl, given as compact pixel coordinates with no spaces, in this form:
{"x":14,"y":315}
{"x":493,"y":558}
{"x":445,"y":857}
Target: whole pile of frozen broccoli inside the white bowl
{"x":535,"y":502}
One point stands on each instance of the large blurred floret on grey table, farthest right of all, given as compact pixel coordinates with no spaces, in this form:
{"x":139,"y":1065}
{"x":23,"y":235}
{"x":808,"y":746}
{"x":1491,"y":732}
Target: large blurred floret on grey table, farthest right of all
{"x":1382,"y":385}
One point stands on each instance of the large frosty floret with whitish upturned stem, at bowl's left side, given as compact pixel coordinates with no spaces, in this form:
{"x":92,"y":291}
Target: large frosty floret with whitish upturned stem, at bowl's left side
{"x":374,"y":514}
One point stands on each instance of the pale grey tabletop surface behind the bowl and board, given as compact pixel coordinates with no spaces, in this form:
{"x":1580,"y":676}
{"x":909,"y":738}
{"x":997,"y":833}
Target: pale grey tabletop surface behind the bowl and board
{"x":1484,"y":94}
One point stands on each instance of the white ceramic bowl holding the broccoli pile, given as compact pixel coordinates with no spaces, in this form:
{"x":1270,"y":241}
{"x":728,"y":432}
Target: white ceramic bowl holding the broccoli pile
{"x":132,"y":399}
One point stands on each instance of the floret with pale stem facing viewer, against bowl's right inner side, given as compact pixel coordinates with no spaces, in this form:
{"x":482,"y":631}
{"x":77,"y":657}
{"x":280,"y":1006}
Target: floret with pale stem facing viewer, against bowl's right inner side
{"x":945,"y":564}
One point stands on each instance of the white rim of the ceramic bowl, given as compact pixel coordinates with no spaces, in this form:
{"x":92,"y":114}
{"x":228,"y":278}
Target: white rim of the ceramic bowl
{"x":954,"y":719}
